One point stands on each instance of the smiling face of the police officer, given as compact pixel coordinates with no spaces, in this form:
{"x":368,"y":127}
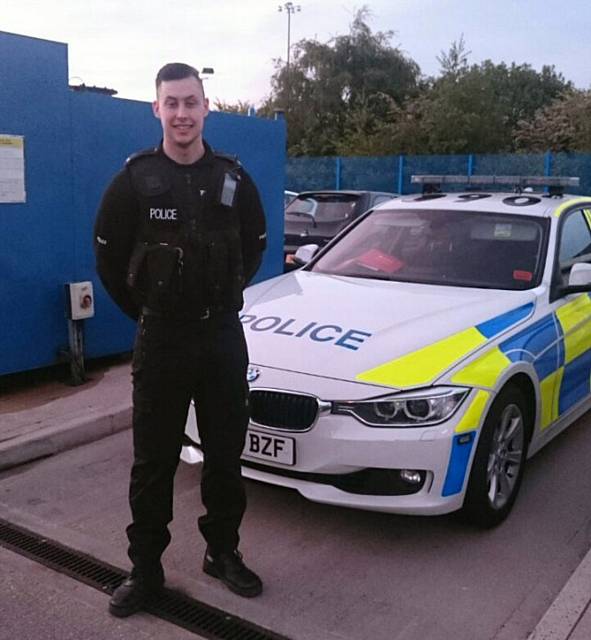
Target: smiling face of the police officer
{"x":181,"y":108}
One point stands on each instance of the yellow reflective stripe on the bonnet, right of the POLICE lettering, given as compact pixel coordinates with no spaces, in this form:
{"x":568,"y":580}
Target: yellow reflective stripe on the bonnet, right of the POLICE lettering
{"x":422,"y":366}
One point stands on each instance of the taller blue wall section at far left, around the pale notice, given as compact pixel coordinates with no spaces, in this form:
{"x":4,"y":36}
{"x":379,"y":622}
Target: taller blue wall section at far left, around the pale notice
{"x":33,"y":262}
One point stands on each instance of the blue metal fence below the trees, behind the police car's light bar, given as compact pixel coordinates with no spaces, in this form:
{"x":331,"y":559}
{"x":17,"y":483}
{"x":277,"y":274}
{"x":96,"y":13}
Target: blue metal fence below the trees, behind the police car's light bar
{"x":393,"y":173}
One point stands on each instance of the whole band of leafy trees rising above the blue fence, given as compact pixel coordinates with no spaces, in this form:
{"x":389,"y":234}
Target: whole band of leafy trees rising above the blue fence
{"x":359,"y":95}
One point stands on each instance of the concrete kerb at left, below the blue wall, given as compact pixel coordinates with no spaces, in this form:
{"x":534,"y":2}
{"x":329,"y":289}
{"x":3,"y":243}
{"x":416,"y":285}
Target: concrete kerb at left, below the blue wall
{"x":73,"y":432}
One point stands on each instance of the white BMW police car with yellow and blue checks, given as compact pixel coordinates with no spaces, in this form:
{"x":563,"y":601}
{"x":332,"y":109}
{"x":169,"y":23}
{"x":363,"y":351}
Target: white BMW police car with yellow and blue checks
{"x":416,"y":362}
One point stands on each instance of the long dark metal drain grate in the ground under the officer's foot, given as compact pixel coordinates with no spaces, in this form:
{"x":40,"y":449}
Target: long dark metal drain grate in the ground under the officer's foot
{"x":172,"y":606}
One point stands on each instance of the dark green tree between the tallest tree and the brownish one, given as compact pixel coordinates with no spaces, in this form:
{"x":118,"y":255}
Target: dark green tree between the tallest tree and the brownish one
{"x":474,"y":109}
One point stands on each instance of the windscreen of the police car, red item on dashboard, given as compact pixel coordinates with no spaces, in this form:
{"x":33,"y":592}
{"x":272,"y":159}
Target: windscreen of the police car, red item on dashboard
{"x":472,"y":249}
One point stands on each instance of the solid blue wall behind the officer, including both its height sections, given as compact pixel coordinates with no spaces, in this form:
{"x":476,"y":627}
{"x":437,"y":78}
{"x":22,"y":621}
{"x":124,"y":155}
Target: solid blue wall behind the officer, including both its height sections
{"x":74,"y":144}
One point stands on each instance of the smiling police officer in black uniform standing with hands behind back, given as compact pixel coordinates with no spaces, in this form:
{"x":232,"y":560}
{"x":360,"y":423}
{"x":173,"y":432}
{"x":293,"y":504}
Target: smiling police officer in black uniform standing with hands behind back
{"x":179,"y":233}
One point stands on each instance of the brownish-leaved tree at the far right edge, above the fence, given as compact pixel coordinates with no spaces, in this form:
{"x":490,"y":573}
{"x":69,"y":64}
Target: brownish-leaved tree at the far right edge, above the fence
{"x":564,"y":125}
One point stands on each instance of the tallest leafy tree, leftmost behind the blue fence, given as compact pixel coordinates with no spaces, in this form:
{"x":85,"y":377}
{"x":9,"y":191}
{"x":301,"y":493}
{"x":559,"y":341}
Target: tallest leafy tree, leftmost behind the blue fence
{"x":327,"y":84}
